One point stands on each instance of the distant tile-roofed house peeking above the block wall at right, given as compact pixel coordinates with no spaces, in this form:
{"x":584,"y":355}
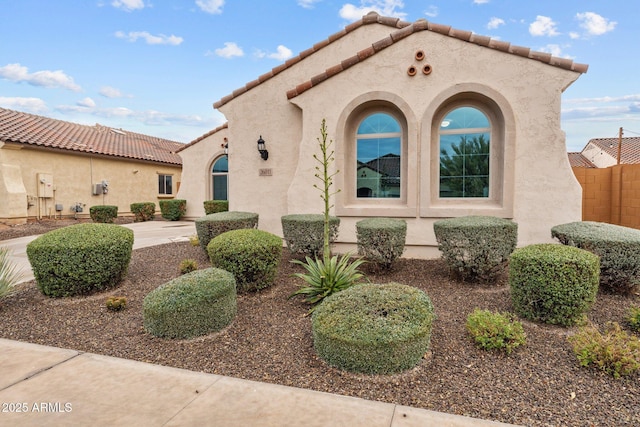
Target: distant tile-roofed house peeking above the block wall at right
{"x":603,"y":152}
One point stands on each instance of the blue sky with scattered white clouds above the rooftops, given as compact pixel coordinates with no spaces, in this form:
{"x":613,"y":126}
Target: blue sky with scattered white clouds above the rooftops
{"x":157,"y":66}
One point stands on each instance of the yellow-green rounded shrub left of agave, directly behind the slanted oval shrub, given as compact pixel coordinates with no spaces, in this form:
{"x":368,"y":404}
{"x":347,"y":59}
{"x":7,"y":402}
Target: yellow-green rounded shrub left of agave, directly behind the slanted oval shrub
{"x":251,"y":255}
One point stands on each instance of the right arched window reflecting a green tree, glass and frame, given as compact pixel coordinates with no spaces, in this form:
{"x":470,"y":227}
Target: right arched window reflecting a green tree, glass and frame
{"x":464,"y":138}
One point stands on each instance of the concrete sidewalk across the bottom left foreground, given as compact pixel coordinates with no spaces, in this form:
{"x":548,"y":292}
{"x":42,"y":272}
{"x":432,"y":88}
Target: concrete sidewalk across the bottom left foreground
{"x":55,"y":387}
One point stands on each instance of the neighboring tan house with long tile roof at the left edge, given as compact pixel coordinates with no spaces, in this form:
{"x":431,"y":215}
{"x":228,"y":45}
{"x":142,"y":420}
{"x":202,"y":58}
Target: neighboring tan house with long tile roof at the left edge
{"x":51,"y":168}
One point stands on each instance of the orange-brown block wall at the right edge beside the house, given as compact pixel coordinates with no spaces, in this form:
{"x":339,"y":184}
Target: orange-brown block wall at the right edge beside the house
{"x":611,"y":194}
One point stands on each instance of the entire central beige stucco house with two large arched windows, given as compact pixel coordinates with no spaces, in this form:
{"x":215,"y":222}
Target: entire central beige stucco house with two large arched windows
{"x":469,"y":126}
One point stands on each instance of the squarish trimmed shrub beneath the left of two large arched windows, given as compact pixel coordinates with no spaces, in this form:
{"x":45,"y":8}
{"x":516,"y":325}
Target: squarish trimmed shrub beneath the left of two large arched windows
{"x":381,"y":240}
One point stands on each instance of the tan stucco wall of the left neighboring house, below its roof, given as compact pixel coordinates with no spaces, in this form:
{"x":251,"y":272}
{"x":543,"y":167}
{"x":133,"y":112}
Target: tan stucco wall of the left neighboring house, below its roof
{"x":68,"y":179}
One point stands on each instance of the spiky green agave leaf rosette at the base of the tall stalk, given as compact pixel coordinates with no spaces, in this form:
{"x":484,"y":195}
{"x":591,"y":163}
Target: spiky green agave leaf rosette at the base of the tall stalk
{"x":326,"y":278}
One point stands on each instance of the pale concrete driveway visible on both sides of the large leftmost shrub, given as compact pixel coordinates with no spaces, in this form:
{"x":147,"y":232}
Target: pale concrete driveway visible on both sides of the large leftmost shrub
{"x":148,"y":233}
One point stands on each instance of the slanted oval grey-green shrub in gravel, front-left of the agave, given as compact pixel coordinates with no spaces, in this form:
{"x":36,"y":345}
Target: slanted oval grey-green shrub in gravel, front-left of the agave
{"x":197,"y":303}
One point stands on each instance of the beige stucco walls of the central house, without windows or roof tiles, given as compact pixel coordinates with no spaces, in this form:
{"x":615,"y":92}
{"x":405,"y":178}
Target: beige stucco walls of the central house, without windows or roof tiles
{"x":531,"y":179}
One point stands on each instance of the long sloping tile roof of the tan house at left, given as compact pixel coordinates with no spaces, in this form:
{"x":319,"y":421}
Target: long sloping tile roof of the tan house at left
{"x":33,"y":130}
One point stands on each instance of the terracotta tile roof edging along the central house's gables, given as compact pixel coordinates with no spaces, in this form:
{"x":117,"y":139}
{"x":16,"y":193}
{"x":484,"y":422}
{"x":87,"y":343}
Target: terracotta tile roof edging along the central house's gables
{"x":404,"y":29}
